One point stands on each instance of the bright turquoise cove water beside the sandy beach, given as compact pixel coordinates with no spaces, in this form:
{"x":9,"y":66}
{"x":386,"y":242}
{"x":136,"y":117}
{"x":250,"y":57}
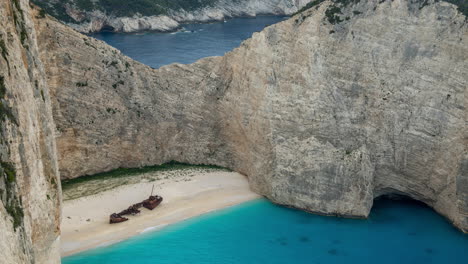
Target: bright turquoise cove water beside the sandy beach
{"x":261,"y":232}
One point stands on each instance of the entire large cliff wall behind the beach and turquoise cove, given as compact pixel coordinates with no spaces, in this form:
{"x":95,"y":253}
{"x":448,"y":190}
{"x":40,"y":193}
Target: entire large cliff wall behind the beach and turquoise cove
{"x":323,"y":112}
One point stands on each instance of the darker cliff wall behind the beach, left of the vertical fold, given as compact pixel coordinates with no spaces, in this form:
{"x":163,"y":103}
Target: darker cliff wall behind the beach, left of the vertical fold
{"x":113,"y":112}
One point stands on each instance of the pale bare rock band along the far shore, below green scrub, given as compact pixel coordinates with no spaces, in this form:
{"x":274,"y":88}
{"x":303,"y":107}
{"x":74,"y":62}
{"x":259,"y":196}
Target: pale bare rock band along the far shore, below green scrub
{"x":96,"y":20}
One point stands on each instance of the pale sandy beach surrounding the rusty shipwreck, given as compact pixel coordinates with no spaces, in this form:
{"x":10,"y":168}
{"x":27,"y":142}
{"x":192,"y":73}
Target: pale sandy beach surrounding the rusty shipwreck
{"x":85,"y":223}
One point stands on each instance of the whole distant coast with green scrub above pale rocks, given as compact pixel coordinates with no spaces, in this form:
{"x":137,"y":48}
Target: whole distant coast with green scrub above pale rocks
{"x":130,"y":16}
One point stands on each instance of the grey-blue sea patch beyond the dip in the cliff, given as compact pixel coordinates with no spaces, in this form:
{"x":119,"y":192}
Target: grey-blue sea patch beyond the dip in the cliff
{"x":193,"y":42}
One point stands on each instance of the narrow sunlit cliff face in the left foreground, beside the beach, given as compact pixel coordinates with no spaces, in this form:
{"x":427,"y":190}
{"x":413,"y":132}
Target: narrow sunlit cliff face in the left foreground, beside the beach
{"x":29,"y":178}
